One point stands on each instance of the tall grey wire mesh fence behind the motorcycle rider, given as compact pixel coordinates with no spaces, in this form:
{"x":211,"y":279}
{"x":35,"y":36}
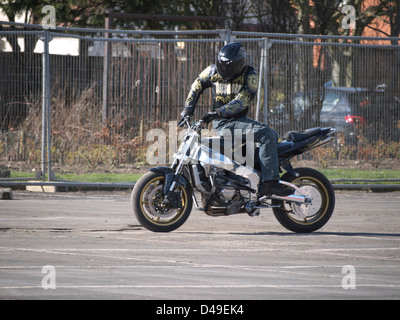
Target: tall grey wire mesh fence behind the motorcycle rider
{"x":78,"y":104}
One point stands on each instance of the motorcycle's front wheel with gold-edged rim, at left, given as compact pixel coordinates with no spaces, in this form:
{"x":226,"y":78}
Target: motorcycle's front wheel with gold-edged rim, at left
{"x":147,"y":203}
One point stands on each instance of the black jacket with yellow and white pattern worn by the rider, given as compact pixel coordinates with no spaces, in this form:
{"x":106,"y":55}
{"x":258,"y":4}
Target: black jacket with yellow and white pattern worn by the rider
{"x":232,"y":99}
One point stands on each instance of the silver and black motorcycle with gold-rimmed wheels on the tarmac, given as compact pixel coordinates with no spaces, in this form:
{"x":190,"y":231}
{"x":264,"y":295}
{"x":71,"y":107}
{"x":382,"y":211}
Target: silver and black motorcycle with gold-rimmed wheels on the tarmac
{"x":204,"y":175}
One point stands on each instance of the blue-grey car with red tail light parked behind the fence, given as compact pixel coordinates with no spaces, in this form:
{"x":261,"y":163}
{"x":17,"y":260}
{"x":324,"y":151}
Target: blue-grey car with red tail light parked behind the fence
{"x":345,"y":109}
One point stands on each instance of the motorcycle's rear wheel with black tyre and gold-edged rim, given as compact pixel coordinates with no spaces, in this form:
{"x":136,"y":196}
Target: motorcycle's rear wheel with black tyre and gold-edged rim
{"x":302,"y":218}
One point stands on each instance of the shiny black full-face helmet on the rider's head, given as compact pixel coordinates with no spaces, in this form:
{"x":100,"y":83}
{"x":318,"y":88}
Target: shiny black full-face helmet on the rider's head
{"x":231,"y":60}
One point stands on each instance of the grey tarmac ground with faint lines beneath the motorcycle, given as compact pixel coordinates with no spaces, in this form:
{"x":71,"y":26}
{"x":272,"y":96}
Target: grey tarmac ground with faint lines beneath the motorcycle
{"x":89,"y":246}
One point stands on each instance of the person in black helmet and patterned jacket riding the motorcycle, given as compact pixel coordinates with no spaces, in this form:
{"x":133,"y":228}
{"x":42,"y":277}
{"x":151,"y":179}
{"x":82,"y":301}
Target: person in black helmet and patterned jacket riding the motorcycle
{"x":234,"y":86}
